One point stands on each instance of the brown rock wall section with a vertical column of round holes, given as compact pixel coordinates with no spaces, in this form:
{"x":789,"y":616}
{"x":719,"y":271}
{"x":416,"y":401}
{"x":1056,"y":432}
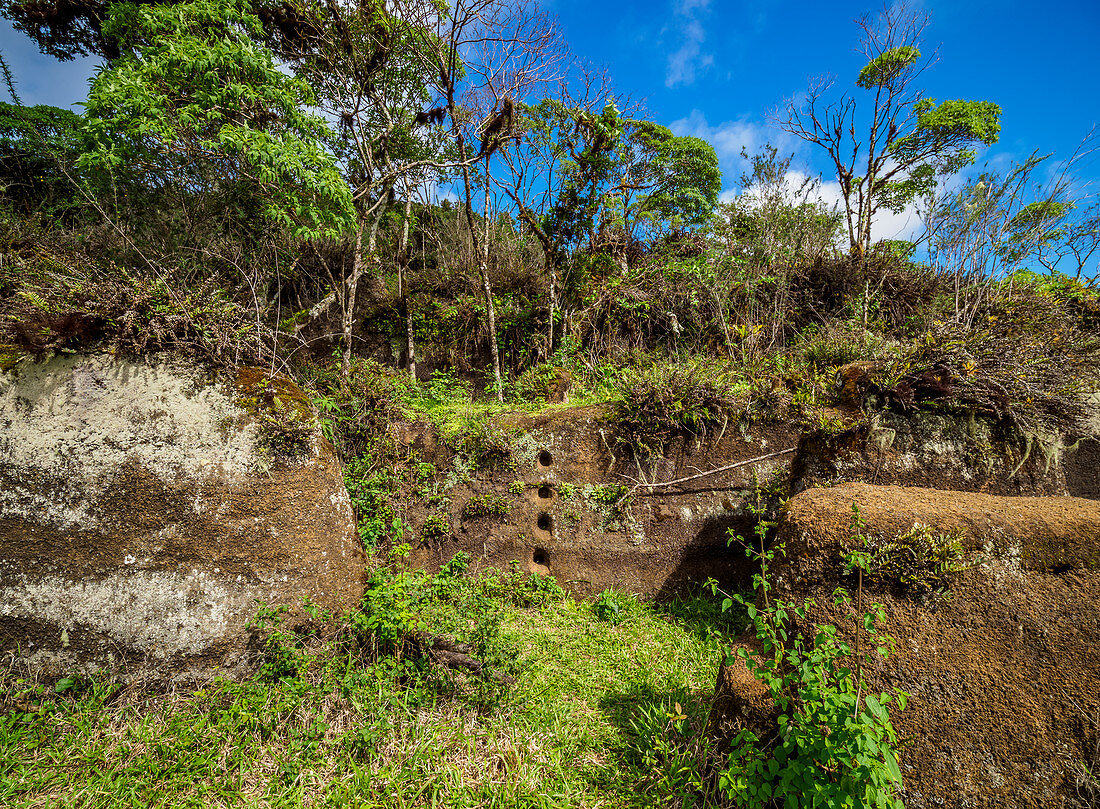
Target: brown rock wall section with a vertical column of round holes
{"x":560,"y":512}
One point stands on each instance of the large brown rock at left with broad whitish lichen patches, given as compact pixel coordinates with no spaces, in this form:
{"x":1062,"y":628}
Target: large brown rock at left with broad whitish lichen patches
{"x":142,"y":518}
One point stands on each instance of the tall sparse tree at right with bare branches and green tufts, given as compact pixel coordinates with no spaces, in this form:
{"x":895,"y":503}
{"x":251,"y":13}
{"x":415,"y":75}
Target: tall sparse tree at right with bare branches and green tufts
{"x":908,"y":144}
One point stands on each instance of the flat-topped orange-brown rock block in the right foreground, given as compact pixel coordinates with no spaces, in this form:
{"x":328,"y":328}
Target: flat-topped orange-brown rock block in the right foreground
{"x":1005,"y":675}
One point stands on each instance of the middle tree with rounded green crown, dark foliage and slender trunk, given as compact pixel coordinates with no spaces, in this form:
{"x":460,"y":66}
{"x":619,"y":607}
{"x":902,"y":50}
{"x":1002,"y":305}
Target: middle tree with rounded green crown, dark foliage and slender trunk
{"x":582,"y":169}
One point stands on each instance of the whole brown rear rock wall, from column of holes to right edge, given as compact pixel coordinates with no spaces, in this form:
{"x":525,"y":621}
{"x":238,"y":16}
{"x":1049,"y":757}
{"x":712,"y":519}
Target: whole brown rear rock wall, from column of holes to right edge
{"x":556,"y":494}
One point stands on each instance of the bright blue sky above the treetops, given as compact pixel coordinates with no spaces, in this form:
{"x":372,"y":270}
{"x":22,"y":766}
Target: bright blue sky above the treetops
{"x":716,"y":69}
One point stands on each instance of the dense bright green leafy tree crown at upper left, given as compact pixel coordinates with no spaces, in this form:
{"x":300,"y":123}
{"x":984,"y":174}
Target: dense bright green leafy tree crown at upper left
{"x":194,"y":102}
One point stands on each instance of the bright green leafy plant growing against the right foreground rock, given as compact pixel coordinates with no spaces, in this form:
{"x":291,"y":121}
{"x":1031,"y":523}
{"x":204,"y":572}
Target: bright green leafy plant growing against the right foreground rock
{"x":834,"y":744}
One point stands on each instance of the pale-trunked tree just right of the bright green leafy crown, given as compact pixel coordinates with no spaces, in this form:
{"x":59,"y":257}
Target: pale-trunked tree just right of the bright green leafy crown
{"x":371,"y":71}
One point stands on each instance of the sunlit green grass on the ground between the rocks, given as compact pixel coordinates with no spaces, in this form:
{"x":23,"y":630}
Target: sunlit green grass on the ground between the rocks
{"x":339,"y":728}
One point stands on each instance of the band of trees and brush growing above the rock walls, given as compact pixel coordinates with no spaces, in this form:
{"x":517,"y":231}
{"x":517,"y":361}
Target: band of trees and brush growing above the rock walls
{"x":262,"y":183}
